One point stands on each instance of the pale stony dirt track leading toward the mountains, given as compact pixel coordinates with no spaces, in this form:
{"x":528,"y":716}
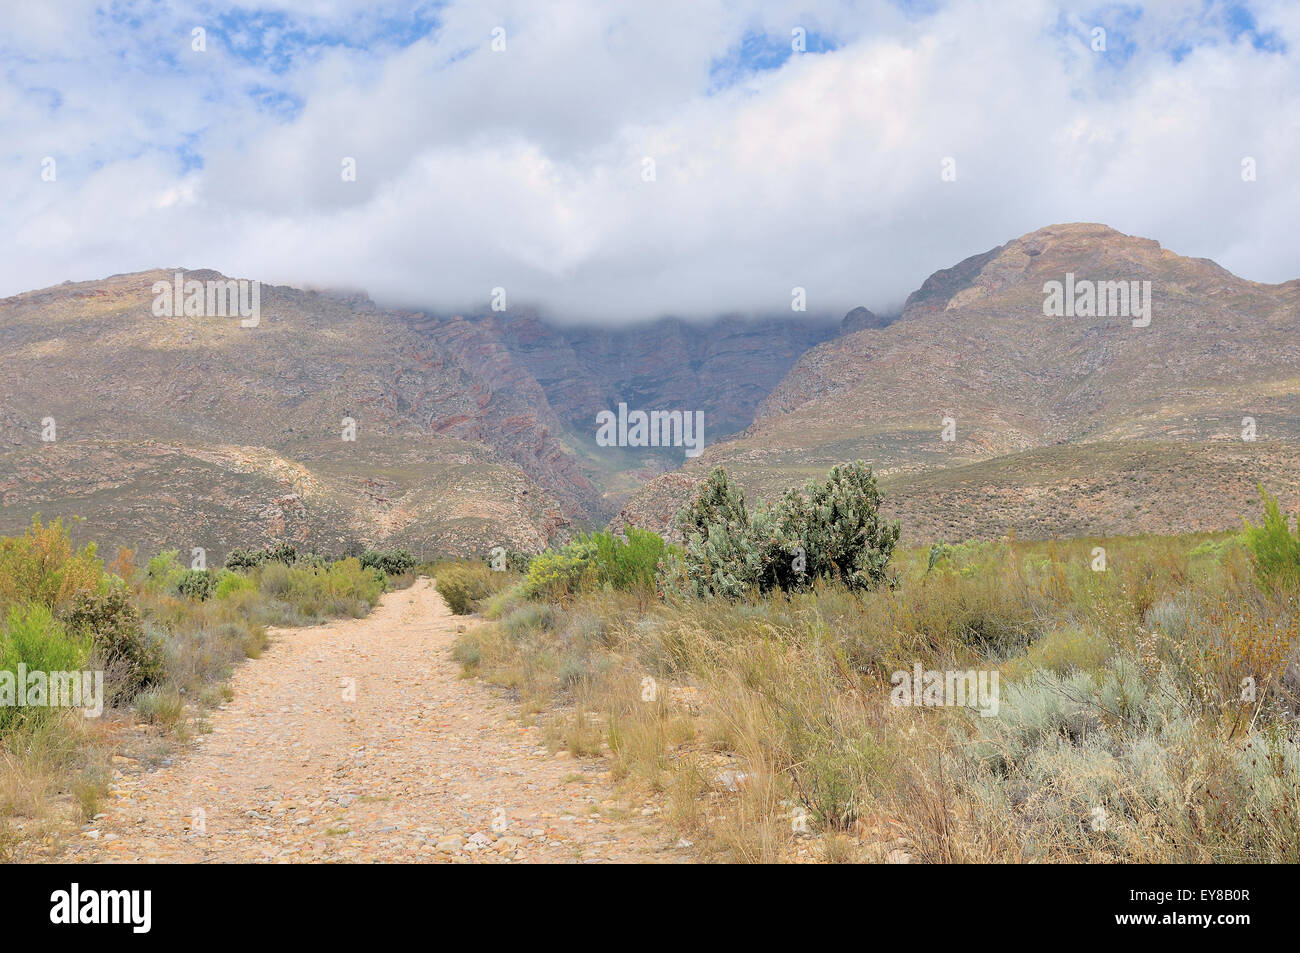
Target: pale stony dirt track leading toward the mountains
{"x":358,"y":742}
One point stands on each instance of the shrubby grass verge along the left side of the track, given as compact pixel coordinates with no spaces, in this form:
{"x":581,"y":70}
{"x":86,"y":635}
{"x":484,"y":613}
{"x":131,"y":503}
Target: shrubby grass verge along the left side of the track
{"x":167,"y":642}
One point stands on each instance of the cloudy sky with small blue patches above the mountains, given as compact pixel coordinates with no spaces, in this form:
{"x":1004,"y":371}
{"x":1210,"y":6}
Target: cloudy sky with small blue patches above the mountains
{"x":616,"y":162}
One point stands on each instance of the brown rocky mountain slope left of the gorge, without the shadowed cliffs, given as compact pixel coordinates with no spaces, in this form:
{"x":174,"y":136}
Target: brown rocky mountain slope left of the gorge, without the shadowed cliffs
{"x":198,"y":432}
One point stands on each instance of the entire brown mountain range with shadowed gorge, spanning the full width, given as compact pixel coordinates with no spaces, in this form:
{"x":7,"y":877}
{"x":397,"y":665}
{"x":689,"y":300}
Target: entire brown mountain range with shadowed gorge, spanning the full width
{"x":981,"y":413}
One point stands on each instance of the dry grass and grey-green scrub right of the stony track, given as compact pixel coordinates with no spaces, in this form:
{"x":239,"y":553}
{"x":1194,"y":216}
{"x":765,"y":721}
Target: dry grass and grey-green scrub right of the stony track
{"x":1147,"y":711}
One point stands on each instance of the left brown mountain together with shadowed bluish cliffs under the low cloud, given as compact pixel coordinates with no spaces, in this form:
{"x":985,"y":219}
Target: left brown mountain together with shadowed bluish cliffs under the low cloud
{"x":471,"y":432}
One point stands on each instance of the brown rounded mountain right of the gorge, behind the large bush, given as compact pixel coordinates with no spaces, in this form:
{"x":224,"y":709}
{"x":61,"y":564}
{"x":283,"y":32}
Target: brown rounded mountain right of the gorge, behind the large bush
{"x":1081,"y":424}
